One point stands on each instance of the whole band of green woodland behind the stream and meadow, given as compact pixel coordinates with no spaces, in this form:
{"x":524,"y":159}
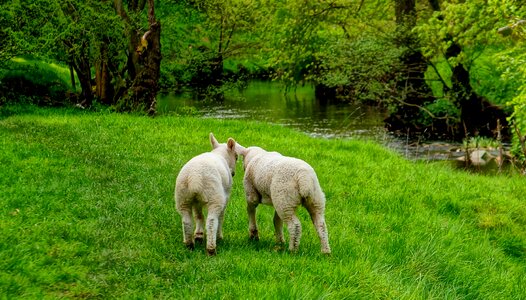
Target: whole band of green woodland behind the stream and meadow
{"x":443,"y":69}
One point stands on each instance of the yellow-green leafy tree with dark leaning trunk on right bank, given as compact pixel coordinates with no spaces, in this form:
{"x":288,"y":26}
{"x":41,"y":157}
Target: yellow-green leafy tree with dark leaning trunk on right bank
{"x":458,"y":33}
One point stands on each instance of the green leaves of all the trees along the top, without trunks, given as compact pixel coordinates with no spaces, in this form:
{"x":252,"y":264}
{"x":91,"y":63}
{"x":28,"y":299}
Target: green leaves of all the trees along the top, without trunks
{"x":353,"y":48}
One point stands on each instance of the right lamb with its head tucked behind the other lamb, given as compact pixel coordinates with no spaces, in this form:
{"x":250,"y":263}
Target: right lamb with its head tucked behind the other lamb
{"x":285,"y":183}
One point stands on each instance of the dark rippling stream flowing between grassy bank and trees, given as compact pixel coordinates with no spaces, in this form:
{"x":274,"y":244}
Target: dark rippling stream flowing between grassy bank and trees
{"x":268,"y":102}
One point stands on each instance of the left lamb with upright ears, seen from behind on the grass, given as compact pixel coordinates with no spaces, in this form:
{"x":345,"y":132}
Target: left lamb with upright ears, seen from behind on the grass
{"x":206,"y":181}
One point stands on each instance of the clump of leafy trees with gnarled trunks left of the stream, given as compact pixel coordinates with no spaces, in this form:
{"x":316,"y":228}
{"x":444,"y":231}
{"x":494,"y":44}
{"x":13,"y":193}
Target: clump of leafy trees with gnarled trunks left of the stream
{"x":90,"y":36}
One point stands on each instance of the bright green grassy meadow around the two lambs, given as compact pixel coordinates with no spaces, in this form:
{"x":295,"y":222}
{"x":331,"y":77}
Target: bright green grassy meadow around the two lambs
{"x":87,"y":211}
